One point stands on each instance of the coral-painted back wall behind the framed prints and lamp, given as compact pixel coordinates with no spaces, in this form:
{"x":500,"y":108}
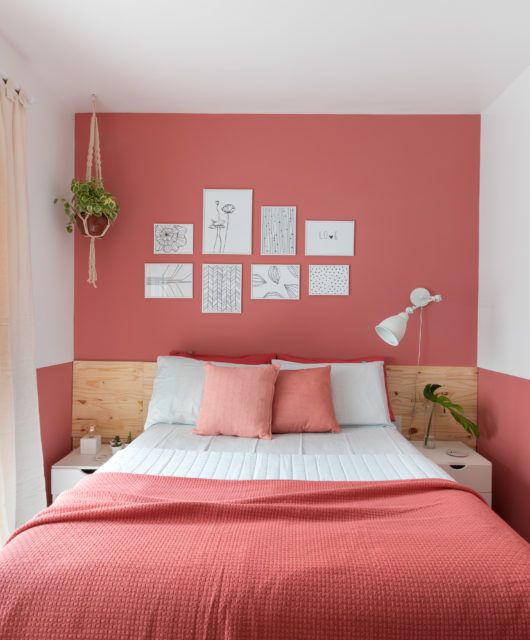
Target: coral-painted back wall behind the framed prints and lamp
{"x":410,"y":182}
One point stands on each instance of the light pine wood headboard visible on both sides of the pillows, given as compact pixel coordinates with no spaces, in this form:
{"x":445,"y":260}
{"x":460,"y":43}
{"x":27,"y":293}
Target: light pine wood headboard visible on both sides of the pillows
{"x":116,"y":396}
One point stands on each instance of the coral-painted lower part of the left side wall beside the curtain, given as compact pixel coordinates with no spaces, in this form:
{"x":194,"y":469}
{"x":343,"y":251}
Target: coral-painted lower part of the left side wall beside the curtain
{"x":55,"y":407}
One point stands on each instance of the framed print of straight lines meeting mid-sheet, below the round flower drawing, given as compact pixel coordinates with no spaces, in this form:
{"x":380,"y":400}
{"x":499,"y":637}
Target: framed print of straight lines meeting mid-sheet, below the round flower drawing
{"x":171,"y":280}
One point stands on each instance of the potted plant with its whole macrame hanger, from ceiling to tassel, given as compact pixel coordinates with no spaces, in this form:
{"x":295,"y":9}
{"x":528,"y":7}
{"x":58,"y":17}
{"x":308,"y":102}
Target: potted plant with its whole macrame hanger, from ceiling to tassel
{"x":92,"y":208}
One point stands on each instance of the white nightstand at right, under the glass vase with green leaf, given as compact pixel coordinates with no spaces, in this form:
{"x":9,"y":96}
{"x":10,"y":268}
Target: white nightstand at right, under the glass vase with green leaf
{"x":474,"y":470}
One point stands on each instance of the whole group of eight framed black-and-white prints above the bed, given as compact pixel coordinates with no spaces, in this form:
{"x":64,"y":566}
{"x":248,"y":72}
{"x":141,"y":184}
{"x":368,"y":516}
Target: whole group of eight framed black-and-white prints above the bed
{"x":227,"y":230}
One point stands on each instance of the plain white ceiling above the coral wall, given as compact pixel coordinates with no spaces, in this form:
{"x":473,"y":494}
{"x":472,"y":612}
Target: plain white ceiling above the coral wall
{"x":273,"y":56}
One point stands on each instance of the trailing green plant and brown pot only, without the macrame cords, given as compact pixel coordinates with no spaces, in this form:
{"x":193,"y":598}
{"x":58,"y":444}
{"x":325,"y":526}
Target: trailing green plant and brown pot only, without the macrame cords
{"x":91,"y":207}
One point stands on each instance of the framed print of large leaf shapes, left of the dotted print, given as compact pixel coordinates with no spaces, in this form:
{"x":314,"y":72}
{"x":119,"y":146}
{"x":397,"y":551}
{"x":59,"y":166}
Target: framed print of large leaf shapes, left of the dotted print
{"x":275,"y":282}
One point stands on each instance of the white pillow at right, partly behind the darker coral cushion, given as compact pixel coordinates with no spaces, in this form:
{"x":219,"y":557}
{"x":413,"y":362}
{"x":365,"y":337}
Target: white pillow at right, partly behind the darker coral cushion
{"x":357,"y":389}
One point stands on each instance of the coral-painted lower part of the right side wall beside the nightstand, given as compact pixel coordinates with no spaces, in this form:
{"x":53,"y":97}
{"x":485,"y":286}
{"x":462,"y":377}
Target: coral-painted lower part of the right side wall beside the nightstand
{"x":504,"y":420}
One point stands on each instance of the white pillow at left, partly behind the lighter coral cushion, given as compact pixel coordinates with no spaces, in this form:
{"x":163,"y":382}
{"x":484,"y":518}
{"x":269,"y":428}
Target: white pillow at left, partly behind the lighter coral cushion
{"x":177,"y":390}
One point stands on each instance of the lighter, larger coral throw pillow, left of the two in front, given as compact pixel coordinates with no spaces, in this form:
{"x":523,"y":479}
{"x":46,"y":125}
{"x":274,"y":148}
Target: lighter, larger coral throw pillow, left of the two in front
{"x":237,"y":401}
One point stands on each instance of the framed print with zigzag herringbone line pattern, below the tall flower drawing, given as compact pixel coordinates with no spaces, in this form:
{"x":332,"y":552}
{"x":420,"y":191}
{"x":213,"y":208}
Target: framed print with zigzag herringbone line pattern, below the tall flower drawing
{"x":221,"y":288}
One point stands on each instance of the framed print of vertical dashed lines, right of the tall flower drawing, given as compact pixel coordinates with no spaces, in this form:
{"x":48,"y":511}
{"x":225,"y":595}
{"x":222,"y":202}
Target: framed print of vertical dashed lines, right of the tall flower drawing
{"x":278,"y":231}
